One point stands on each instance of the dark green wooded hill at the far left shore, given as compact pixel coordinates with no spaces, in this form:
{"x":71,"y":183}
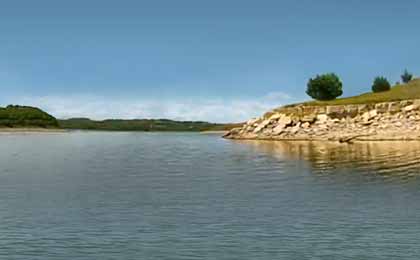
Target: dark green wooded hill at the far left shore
{"x":23,"y":116}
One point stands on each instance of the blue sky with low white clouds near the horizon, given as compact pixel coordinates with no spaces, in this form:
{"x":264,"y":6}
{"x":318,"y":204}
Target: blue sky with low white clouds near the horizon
{"x":218,"y":60}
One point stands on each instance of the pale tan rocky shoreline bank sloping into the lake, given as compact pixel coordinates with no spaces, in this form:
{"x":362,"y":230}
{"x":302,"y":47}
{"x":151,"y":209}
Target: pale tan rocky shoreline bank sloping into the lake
{"x":388,"y":121}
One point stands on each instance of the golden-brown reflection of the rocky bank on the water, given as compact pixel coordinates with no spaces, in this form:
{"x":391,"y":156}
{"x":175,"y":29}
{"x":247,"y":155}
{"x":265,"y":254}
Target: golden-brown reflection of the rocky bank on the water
{"x":396,"y":158}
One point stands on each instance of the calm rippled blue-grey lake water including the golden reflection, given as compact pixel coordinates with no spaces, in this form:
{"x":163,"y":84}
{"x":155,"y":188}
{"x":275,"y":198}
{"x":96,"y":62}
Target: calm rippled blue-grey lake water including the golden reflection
{"x":90,"y":195}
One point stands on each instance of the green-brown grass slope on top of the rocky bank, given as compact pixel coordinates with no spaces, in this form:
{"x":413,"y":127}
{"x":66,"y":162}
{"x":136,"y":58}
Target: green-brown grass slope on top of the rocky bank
{"x":410,"y":90}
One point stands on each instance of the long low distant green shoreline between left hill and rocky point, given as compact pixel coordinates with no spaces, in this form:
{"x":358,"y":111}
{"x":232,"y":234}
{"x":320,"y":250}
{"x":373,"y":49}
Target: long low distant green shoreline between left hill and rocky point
{"x":140,"y":125}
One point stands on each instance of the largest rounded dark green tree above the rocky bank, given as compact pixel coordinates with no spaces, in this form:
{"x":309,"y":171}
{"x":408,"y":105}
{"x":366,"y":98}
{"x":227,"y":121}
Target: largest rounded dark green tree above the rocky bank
{"x":325,"y":87}
